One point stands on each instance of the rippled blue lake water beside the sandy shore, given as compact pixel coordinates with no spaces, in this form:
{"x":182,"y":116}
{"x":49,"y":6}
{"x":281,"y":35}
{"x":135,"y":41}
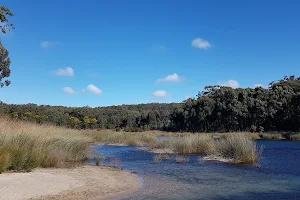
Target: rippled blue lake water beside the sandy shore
{"x":277,"y":178}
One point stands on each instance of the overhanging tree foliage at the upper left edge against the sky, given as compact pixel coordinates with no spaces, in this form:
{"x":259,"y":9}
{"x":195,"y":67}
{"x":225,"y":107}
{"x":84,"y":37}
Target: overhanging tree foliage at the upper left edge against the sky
{"x":4,"y":59}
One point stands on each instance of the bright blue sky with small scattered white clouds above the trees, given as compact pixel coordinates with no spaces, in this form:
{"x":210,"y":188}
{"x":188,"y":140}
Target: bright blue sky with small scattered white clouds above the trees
{"x":100,"y":53}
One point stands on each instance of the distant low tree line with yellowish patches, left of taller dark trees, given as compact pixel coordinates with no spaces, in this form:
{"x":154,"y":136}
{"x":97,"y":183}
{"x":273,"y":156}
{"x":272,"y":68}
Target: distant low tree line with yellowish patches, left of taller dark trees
{"x":128,"y":117}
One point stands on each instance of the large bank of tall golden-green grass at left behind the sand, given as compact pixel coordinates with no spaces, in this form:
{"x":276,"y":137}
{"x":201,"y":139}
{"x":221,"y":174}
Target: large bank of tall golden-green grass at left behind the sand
{"x":24,"y":146}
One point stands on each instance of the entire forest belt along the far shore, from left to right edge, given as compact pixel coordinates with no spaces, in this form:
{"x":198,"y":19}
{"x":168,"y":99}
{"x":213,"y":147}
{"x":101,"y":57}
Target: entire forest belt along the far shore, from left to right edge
{"x":216,"y":109}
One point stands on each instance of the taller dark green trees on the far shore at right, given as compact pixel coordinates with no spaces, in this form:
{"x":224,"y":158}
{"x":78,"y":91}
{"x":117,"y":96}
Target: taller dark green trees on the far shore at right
{"x":226,"y":109}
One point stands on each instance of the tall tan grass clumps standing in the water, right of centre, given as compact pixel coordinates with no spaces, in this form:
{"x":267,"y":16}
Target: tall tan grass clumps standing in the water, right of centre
{"x":237,"y":147}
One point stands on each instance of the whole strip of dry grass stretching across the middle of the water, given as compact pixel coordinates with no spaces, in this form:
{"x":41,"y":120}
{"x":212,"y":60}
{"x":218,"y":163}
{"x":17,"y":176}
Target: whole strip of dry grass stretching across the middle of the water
{"x":238,"y":147}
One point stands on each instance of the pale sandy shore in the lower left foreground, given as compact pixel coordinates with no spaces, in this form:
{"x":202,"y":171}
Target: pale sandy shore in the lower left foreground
{"x":87,"y":182}
